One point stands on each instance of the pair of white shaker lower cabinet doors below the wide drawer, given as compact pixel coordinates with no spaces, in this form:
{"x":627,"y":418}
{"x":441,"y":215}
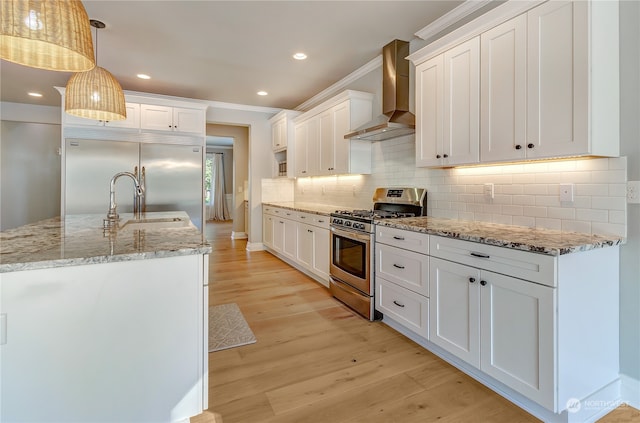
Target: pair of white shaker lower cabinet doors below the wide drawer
{"x":499,"y":324}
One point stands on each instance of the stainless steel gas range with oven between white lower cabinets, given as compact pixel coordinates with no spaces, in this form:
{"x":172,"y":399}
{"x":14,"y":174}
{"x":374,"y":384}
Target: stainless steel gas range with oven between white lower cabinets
{"x":352,"y":238}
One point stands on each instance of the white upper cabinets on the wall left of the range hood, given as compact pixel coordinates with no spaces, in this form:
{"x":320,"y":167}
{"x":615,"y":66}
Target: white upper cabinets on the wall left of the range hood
{"x":322,"y":150}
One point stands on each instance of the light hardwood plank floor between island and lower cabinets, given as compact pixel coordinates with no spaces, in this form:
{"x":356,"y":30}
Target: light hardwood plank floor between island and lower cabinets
{"x":315,"y":361}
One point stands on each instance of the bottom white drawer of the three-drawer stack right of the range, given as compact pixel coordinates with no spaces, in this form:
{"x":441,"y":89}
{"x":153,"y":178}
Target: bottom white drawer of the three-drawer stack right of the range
{"x":404,"y":306}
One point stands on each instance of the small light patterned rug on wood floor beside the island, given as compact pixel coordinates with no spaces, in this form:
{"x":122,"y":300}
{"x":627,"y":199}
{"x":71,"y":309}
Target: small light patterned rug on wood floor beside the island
{"x":227,"y":328}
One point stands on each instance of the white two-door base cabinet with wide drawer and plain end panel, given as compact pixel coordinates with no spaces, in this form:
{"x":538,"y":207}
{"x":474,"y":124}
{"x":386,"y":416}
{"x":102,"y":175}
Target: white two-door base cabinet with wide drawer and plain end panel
{"x":511,"y":314}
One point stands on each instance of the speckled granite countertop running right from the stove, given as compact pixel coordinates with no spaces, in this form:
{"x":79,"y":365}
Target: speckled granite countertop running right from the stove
{"x":517,"y":237}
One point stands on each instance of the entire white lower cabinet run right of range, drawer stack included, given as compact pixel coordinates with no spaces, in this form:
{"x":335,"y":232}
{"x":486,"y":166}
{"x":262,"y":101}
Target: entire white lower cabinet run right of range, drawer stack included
{"x":542,"y":330}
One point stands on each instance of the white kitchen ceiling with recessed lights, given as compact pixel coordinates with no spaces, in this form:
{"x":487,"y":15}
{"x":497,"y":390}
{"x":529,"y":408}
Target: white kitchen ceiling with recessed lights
{"x":228,"y":50}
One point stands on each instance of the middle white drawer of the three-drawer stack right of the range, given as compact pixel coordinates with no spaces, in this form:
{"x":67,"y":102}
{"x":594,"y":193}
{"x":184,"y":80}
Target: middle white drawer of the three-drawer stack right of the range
{"x":406,"y":268}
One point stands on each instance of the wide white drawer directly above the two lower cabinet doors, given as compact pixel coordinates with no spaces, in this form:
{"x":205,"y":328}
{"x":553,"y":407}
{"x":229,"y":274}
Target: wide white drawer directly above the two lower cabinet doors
{"x":519,"y":264}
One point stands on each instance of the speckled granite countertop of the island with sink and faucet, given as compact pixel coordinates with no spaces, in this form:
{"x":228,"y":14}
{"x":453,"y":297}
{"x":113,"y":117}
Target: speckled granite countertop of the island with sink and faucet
{"x":80,"y":239}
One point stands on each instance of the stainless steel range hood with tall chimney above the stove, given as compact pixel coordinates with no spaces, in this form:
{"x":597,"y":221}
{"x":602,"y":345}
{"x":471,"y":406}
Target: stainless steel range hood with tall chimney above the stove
{"x":396,"y":120}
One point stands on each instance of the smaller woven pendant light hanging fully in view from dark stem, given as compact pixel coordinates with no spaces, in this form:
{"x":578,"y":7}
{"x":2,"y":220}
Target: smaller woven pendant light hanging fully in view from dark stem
{"x":95,"y":94}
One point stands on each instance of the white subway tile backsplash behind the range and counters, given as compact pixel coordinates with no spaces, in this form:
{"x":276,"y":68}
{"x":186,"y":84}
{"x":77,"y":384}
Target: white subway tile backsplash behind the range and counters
{"x":525,"y":194}
